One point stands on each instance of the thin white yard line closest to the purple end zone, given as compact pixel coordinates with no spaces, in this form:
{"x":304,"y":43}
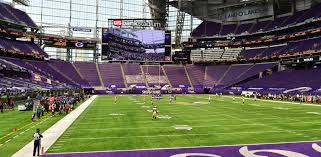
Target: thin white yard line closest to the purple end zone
{"x":182,"y":135}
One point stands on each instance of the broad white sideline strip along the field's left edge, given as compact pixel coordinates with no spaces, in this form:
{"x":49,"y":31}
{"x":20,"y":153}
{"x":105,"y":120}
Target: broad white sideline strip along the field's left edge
{"x":55,"y":131}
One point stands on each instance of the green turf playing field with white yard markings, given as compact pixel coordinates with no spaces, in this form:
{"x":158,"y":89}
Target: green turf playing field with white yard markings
{"x":189,"y":121}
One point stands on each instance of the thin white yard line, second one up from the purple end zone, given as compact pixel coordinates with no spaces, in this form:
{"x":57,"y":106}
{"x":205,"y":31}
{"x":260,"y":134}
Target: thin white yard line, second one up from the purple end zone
{"x":200,"y":126}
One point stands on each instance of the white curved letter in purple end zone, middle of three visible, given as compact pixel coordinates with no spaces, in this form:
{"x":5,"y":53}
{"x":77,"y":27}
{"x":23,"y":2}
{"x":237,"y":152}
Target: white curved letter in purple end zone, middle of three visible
{"x":251,"y":153}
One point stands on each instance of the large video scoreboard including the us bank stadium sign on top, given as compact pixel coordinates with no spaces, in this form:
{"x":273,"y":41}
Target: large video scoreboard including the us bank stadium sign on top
{"x":136,"y":39}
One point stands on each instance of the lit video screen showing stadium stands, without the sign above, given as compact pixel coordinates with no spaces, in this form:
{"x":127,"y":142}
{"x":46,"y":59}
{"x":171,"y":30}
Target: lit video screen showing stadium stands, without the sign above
{"x":133,"y":44}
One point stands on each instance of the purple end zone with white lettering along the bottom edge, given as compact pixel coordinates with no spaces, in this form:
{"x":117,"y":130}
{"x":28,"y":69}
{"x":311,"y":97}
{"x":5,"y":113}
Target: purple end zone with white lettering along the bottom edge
{"x":294,"y":149}
